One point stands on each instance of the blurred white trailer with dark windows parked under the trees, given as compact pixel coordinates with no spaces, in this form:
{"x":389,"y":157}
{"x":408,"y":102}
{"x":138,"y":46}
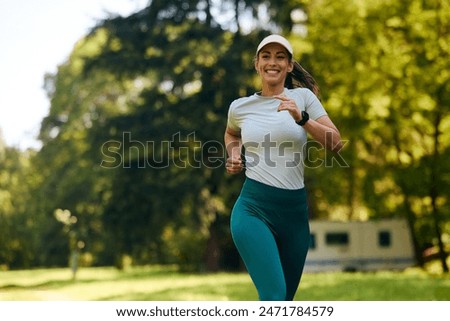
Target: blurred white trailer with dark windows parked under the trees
{"x":359,"y":246}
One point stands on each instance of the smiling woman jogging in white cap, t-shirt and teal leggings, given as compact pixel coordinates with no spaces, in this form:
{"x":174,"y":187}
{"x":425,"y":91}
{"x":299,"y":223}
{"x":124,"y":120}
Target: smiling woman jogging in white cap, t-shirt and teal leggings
{"x":269,"y":222}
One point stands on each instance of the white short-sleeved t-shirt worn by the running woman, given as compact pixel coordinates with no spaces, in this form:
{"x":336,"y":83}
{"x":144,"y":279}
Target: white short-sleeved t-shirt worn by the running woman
{"x":274,"y":144}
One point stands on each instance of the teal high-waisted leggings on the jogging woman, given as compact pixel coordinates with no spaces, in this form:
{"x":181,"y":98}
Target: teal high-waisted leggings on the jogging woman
{"x":270,"y":229}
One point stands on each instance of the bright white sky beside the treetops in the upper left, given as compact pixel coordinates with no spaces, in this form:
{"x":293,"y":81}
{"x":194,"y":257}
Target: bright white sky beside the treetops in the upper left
{"x":35,"y":37}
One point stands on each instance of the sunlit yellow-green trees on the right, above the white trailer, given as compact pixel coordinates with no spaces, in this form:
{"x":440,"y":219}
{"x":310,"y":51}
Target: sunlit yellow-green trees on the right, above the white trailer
{"x":380,"y":76}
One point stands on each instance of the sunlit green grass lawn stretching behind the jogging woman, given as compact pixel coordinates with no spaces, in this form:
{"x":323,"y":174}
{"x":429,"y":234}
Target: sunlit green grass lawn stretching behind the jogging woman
{"x":159,"y":283}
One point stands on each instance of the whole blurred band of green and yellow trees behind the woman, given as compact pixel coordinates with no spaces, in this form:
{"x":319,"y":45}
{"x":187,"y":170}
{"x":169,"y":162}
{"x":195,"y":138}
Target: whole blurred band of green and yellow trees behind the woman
{"x":132,"y":144}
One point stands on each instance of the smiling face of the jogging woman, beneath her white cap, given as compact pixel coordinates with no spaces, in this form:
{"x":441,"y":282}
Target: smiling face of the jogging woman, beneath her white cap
{"x":273,"y":64}
